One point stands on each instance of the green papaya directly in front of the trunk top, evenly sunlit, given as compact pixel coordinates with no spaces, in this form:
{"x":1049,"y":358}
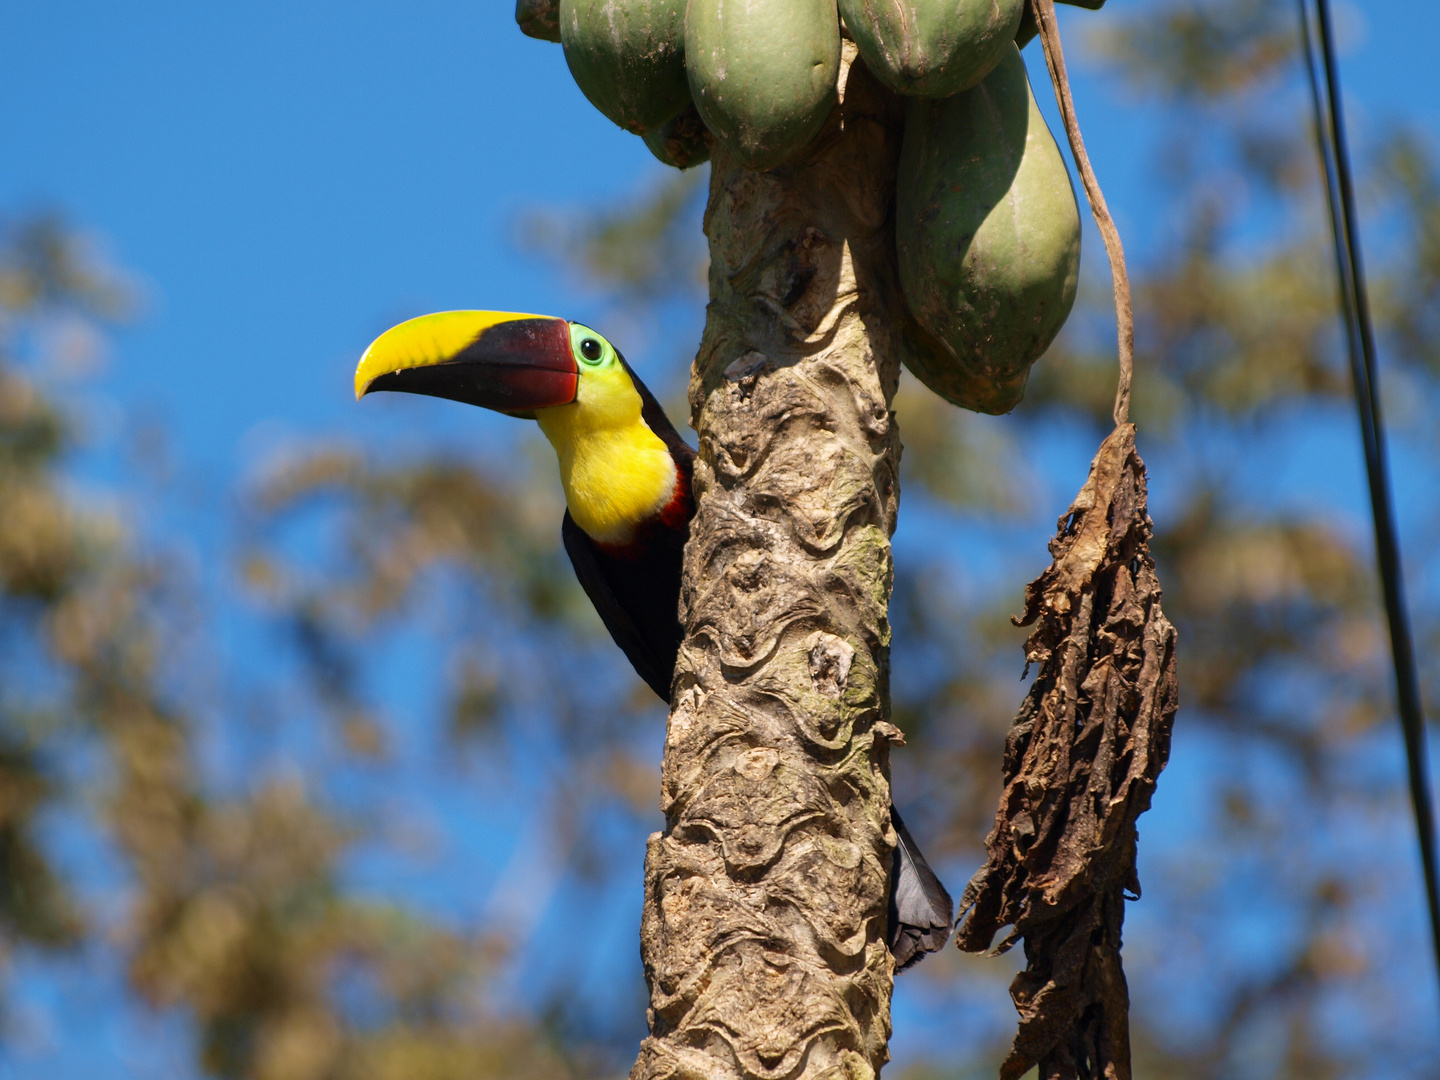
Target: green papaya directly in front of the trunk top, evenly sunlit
{"x":762,"y":73}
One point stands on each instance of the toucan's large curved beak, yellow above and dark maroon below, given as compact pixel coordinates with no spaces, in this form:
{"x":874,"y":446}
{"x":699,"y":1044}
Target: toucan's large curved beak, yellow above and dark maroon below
{"x":500,"y":361}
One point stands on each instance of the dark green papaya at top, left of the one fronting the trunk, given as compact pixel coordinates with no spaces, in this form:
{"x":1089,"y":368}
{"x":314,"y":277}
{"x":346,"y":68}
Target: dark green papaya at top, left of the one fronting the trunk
{"x":627,"y":57}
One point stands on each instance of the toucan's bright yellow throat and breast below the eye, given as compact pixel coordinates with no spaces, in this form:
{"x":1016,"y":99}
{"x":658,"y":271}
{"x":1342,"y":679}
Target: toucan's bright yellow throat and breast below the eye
{"x":616,"y":470}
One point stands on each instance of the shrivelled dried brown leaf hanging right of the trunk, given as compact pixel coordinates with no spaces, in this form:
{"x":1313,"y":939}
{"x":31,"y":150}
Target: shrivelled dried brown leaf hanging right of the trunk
{"x":1081,"y":767}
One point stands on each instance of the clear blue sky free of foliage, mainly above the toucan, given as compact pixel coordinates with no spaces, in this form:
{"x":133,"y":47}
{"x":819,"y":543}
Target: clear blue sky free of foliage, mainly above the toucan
{"x":289,"y":179}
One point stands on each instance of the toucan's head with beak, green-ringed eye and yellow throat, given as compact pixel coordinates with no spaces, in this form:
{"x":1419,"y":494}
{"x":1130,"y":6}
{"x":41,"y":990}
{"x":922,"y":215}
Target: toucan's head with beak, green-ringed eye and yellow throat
{"x":616,"y":469}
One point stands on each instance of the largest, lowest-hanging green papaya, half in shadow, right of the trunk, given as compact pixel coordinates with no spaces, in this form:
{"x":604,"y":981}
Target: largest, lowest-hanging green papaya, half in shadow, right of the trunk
{"x":989,"y":237}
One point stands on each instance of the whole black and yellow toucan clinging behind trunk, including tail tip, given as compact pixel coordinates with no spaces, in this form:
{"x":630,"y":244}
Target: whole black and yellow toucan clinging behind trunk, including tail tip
{"x":627,"y":477}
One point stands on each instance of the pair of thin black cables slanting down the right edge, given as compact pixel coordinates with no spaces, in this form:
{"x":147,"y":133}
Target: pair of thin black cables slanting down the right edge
{"x":1362,"y":339}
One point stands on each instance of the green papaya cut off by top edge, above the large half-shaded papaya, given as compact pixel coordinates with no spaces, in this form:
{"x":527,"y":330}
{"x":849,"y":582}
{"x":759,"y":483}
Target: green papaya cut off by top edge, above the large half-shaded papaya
{"x":932,"y":48}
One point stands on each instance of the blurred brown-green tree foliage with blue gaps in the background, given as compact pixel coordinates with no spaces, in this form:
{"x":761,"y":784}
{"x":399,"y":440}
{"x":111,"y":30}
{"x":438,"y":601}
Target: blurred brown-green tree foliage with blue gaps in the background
{"x":251,"y":849}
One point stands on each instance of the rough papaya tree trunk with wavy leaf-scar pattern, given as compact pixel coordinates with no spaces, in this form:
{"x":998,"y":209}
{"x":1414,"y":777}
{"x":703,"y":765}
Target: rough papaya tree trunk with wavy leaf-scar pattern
{"x":764,"y":931}
